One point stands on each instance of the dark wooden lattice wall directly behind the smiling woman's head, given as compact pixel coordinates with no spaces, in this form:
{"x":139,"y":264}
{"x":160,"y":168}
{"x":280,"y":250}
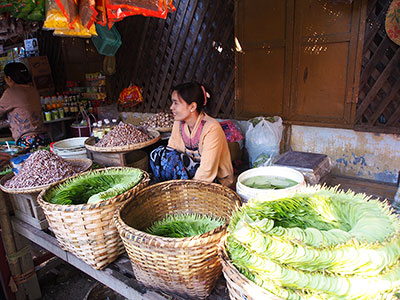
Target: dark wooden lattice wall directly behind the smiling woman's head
{"x":196,"y":42}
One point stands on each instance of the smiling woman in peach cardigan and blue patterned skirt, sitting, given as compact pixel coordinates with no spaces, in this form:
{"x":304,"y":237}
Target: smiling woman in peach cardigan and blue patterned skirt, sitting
{"x":197,"y":148}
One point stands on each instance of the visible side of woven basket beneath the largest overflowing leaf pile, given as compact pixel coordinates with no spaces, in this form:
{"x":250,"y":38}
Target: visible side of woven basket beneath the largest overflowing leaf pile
{"x":239,"y":286}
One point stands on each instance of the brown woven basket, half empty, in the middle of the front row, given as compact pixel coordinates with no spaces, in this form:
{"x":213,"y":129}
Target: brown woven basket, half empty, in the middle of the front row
{"x":188,"y":267}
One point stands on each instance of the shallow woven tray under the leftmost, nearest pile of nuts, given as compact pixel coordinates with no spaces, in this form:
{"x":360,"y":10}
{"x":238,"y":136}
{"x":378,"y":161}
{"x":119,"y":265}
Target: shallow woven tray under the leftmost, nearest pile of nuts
{"x":84,"y":163}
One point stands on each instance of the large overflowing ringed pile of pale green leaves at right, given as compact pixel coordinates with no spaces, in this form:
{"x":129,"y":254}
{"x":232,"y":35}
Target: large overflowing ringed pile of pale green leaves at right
{"x":320,"y":243}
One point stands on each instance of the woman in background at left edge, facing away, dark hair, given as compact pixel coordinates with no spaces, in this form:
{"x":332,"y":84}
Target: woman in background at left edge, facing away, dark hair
{"x":21,"y":103}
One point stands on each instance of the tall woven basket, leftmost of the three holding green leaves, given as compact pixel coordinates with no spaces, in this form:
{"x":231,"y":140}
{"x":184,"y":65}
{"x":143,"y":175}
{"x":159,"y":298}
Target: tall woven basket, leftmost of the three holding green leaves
{"x":87,"y":230}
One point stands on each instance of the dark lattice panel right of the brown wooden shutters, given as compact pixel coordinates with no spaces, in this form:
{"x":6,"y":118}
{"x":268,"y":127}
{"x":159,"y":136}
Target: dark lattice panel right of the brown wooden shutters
{"x":378,"y":107}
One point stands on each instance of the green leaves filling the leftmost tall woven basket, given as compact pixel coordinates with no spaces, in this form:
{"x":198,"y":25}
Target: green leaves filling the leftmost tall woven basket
{"x":94,"y":186}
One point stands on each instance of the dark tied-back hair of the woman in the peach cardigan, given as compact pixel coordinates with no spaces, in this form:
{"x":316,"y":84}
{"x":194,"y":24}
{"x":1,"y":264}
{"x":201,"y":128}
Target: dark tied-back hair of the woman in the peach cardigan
{"x":193,"y":92}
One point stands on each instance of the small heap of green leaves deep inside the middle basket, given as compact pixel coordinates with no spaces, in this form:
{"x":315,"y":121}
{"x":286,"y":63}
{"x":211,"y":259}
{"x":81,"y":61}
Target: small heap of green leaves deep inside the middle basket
{"x":184,"y":225}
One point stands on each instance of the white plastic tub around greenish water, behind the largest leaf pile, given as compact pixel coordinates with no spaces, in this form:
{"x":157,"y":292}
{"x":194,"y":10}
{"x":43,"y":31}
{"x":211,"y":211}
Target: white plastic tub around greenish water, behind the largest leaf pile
{"x":247,"y":193}
